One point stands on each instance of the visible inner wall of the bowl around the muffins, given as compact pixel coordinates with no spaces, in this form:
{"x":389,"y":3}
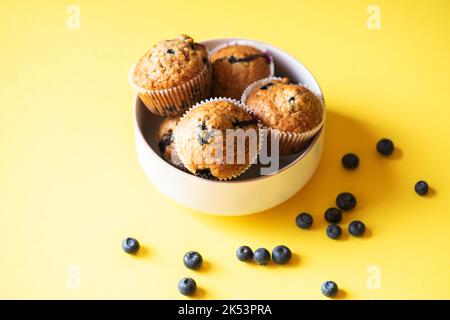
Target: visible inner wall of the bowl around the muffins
{"x":285,"y":66}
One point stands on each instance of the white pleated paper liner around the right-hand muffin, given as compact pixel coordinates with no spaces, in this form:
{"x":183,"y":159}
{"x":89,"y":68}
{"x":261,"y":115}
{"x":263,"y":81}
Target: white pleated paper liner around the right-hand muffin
{"x":289,"y":142}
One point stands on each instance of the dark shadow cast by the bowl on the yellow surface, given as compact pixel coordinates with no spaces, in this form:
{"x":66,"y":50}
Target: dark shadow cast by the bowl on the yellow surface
{"x":373,"y":181}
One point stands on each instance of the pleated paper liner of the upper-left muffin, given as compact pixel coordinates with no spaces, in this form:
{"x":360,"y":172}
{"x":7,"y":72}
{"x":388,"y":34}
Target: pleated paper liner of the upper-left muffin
{"x":175,"y":100}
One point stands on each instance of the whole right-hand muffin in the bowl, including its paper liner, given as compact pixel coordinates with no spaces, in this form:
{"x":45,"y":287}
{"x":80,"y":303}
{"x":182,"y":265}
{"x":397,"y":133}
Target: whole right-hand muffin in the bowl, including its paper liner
{"x":290,"y":111}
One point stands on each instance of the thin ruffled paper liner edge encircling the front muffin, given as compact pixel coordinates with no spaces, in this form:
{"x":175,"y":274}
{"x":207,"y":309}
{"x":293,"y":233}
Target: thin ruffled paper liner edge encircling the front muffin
{"x":237,"y":103}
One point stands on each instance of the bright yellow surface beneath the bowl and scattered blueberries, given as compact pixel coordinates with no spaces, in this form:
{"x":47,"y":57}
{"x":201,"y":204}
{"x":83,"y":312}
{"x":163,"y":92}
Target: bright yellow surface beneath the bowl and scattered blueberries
{"x":71,"y":187}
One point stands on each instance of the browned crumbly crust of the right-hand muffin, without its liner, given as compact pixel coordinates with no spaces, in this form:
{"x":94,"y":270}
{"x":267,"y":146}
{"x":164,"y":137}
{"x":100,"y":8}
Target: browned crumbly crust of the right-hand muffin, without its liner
{"x":285,"y":106}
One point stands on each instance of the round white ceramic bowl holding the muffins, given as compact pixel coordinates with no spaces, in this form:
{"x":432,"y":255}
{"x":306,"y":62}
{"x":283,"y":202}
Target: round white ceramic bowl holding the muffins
{"x":251,"y":192}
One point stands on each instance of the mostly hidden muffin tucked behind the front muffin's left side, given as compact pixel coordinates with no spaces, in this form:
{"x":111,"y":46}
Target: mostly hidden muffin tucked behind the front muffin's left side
{"x":166,"y":141}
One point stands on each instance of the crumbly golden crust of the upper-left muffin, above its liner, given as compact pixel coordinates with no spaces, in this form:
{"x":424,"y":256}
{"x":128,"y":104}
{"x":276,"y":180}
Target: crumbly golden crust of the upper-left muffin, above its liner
{"x":170,"y":63}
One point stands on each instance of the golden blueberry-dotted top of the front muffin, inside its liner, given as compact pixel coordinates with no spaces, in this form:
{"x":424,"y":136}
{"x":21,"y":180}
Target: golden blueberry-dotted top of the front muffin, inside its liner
{"x":206,"y":142}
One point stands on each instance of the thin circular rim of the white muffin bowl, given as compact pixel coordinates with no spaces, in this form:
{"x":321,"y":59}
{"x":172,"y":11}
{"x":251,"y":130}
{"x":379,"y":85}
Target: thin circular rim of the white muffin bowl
{"x":137,"y":100}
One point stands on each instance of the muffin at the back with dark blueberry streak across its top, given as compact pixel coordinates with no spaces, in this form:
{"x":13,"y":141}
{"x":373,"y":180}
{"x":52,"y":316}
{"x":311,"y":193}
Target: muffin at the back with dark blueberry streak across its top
{"x":237,"y":66}
